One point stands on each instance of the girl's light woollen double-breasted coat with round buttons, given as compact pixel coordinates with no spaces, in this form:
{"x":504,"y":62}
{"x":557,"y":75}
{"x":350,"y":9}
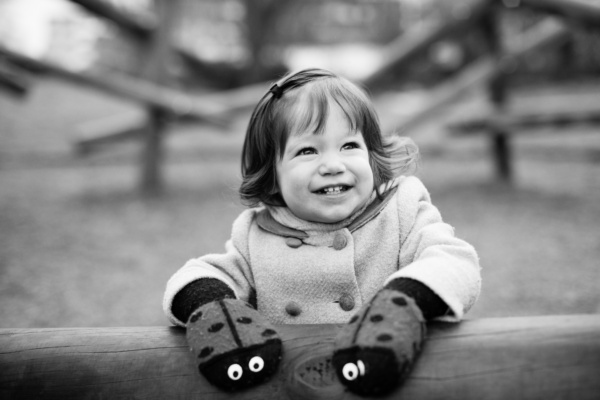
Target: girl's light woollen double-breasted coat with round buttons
{"x":308,"y":273}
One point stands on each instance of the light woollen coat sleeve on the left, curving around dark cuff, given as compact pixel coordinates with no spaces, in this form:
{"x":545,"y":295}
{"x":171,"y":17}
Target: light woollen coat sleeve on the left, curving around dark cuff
{"x":231,"y":267}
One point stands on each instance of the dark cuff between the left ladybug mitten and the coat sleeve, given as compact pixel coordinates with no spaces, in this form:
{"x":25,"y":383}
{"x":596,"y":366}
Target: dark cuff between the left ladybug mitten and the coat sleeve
{"x":198,"y":293}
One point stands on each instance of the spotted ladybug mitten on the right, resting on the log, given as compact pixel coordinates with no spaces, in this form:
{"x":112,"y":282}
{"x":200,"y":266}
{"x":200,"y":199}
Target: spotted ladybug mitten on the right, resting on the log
{"x":376,"y":349}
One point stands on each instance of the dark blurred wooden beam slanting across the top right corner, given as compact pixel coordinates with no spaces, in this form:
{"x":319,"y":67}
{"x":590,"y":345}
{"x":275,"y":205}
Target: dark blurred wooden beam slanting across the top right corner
{"x":579,"y":10}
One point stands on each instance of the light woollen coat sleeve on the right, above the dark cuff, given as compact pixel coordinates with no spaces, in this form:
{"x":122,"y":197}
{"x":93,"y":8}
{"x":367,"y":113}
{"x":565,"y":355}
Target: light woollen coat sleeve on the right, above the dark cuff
{"x":432,"y":255}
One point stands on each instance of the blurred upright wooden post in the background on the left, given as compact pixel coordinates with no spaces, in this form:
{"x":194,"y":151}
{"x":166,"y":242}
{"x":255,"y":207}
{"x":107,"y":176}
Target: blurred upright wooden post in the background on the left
{"x":154,"y":69}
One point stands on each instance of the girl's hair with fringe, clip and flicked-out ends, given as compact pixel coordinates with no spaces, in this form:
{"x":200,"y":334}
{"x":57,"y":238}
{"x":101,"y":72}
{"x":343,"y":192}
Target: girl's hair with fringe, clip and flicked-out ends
{"x":286,"y":109}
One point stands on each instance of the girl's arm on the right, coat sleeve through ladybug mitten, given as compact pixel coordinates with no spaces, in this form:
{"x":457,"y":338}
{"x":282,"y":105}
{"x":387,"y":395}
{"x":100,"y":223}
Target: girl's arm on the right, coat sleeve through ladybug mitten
{"x":438,"y":278}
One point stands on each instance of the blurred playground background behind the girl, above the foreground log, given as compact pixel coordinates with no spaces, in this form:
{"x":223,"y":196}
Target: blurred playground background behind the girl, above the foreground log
{"x":121,"y":125}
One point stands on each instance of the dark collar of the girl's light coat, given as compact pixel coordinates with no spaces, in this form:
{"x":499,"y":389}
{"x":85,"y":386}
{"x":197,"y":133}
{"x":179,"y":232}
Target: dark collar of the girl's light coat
{"x":265,"y":220}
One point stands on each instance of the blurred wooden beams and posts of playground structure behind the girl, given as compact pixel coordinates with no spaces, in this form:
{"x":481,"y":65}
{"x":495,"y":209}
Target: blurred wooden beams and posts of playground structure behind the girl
{"x":152,"y":90}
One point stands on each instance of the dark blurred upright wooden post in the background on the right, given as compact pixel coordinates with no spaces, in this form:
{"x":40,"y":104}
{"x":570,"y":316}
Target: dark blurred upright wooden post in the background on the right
{"x":500,"y":139}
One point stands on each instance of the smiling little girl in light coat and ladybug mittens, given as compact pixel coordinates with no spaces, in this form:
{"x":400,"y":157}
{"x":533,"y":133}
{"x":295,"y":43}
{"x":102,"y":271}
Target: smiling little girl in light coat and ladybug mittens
{"x":335,"y":232}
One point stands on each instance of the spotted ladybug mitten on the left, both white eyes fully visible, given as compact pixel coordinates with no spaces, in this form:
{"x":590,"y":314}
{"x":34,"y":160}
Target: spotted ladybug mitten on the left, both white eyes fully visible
{"x":235,"y":346}
